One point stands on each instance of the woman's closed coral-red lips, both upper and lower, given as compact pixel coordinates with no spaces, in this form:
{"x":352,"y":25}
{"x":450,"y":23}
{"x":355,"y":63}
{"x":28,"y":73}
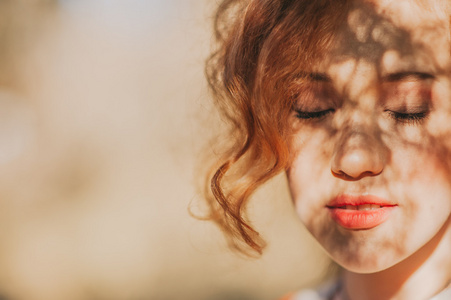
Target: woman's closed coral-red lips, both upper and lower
{"x":344,"y":211}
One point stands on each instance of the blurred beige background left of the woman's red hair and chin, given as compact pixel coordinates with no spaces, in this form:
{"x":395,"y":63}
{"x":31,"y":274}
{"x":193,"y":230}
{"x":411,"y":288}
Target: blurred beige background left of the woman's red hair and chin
{"x":105,"y":114}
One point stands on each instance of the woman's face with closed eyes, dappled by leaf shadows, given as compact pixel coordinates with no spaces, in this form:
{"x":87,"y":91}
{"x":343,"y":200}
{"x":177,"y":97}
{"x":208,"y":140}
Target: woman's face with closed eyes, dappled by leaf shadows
{"x":371,"y":178}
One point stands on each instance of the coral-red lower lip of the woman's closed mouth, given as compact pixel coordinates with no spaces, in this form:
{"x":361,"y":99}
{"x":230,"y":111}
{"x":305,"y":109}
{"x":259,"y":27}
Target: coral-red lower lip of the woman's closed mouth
{"x":360,"y":219}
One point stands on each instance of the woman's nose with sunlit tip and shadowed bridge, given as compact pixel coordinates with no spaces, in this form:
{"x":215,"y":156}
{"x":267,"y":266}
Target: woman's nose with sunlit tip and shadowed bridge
{"x":358,"y":155}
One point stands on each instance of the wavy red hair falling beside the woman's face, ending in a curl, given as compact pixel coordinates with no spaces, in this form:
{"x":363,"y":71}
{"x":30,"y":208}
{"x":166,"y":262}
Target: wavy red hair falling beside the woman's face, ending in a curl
{"x":264,"y":46}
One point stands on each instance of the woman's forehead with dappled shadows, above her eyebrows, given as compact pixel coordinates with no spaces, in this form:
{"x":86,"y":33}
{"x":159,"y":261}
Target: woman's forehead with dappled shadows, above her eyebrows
{"x":394,"y":34}
